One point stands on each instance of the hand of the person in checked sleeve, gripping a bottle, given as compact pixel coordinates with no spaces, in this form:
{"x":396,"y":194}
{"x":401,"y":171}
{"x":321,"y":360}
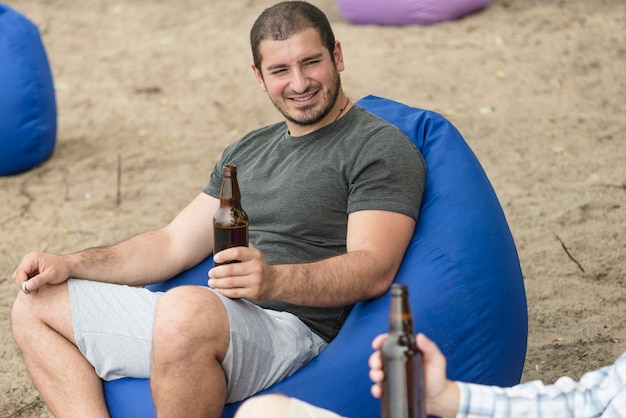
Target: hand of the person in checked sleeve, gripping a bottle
{"x":442,"y":395}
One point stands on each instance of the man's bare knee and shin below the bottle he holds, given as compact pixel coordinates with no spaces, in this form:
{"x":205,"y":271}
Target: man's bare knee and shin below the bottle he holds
{"x":190,"y":340}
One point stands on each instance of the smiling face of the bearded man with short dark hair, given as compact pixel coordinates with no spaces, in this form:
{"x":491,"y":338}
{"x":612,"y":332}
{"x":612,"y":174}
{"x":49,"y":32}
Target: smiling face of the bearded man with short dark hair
{"x":301,"y":79}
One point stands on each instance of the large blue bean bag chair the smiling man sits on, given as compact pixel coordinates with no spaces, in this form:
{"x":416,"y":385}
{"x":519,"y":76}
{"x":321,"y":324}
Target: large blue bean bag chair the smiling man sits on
{"x":465,"y":286}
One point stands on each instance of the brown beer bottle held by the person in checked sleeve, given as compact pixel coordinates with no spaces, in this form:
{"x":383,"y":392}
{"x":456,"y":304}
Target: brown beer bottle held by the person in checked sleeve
{"x":403,"y":387}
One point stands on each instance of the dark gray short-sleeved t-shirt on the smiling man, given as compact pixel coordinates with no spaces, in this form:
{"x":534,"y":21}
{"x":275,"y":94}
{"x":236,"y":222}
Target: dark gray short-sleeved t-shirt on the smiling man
{"x":299,"y":191}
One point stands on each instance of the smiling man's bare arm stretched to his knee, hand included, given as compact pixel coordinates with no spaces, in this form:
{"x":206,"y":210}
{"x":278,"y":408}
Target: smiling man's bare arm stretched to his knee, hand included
{"x":146,"y":258}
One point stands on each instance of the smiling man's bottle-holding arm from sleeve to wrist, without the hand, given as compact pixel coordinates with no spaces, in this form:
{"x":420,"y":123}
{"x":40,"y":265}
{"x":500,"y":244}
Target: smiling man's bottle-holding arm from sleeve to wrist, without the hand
{"x":376,"y":243}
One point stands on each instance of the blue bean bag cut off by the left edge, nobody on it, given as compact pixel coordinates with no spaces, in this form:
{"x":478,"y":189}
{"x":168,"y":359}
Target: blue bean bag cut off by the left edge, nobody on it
{"x":28,"y":117}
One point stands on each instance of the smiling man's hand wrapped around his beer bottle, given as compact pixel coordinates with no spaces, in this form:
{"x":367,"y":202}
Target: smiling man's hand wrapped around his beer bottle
{"x":251,"y":278}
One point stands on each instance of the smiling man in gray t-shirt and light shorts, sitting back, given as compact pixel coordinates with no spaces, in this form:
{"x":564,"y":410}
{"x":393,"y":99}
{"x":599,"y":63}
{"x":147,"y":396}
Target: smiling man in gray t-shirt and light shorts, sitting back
{"x":332,"y":195}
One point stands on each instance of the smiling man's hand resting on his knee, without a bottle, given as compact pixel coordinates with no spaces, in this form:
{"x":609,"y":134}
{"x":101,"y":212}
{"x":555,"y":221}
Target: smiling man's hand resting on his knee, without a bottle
{"x":38,"y":269}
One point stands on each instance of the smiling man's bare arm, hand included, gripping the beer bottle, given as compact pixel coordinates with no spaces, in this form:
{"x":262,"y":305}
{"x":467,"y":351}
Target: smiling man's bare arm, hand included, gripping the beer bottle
{"x":376,"y":243}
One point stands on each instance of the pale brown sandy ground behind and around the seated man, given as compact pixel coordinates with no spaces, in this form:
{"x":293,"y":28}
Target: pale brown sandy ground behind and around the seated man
{"x":537,"y":88}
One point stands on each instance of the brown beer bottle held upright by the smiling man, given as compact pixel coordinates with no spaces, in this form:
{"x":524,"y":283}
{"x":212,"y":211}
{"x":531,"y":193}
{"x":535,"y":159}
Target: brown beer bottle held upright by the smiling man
{"x":230,"y":222}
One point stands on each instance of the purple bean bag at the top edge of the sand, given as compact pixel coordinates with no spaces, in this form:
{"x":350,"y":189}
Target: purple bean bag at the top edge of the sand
{"x":406,"y":12}
